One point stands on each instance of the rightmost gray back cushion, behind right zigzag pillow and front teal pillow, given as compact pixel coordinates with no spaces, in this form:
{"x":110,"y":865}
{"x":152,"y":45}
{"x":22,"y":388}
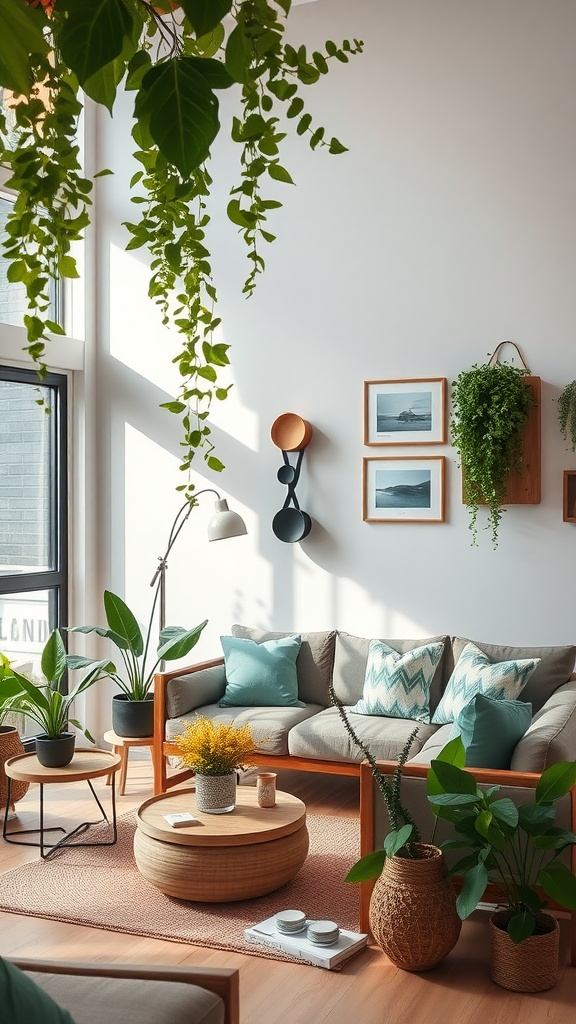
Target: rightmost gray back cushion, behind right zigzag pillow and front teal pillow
{"x":557,"y":665}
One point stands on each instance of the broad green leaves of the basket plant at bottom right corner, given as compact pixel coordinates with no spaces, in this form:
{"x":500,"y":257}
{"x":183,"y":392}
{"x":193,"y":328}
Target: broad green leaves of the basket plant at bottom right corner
{"x":516,"y":849}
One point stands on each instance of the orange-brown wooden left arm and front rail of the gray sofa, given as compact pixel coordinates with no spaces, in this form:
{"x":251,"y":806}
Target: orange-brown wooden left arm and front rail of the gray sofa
{"x":163,"y":748}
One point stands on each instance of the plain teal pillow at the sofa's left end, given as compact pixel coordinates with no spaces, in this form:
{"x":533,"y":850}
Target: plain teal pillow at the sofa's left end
{"x":261,"y":674}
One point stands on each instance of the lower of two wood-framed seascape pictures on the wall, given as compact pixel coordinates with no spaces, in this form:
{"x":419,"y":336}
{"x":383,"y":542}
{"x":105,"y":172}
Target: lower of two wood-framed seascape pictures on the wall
{"x":398,"y":490}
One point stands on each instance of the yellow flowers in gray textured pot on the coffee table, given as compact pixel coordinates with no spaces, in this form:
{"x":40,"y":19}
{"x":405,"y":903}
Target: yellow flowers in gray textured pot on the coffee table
{"x":216,"y":751}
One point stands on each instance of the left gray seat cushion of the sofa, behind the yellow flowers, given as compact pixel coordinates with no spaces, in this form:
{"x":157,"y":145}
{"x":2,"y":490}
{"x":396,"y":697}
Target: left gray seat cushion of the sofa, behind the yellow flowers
{"x":270,"y":726}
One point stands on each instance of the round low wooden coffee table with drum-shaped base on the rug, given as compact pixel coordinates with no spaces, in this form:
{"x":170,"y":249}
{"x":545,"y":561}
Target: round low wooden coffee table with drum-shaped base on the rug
{"x":226,"y":858}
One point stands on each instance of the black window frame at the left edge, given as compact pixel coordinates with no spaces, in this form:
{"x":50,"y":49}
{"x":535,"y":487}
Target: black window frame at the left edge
{"x":54,"y":581}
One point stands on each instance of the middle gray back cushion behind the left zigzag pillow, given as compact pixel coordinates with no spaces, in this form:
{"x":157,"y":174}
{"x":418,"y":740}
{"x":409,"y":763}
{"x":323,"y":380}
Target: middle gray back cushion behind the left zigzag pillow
{"x":351,"y":657}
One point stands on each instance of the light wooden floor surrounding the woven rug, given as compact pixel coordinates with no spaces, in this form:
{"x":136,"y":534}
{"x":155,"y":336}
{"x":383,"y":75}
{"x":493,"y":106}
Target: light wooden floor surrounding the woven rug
{"x":368,"y":991}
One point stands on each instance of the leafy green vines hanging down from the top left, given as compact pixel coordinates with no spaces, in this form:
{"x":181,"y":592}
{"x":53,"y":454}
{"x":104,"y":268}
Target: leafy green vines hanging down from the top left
{"x":176,"y":59}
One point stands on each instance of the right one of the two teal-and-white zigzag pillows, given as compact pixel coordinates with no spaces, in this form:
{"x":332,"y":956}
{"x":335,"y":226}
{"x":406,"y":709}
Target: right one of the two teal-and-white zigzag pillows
{"x":475,"y":673}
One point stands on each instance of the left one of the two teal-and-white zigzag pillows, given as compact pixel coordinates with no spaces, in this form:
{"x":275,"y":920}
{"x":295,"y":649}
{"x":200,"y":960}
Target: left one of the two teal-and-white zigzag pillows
{"x":399,"y":686}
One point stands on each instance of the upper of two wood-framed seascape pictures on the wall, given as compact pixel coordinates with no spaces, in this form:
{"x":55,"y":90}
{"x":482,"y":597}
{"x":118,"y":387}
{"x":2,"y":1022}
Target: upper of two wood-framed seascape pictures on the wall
{"x":405,"y":412}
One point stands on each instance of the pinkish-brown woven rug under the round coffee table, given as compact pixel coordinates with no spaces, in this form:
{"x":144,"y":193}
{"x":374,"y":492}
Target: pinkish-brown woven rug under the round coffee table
{"x":103,"y":888}
